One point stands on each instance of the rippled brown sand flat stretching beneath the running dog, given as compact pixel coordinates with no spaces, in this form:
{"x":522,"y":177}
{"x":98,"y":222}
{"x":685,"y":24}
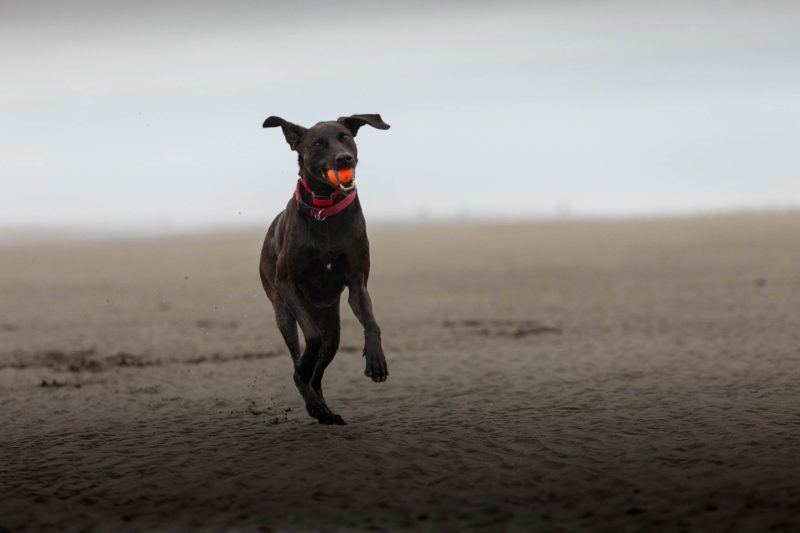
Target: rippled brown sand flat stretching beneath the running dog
{"x":614,"y":375}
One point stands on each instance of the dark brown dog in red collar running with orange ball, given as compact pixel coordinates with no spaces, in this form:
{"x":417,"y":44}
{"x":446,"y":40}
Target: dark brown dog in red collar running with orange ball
{"x":315,"y":248}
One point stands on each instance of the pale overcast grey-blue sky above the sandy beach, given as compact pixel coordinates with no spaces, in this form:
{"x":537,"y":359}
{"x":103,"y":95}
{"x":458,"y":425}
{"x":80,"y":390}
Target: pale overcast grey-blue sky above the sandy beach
{"x":148,"y":115}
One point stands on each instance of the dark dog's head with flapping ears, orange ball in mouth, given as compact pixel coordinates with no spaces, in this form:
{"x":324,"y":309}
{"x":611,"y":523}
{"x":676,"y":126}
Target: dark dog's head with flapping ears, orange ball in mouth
{"x":327,"y":151}
